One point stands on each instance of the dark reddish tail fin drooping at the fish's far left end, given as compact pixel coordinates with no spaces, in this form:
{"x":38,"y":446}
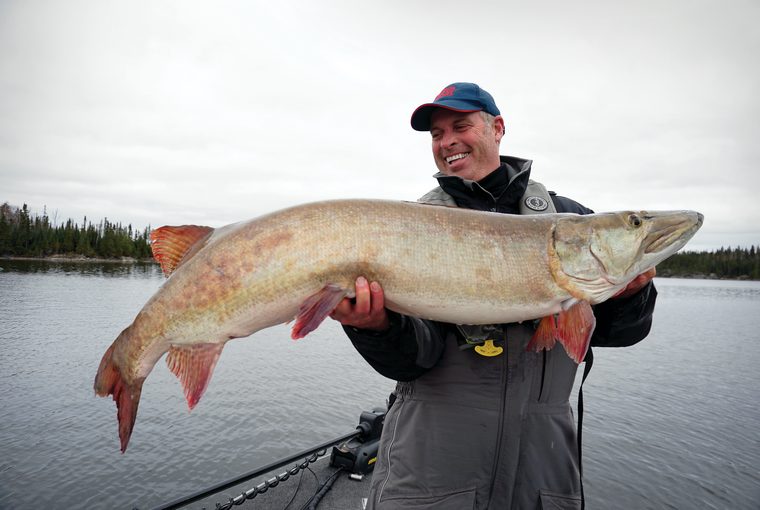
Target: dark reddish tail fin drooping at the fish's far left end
{"x":109,"y":381}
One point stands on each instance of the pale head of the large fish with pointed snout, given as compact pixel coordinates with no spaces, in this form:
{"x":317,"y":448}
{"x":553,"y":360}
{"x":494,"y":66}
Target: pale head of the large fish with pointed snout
{"x":597,"y":255}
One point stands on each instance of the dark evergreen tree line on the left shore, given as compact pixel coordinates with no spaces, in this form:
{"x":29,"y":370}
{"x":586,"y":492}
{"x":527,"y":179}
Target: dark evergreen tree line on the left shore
{"x":23,"y":234}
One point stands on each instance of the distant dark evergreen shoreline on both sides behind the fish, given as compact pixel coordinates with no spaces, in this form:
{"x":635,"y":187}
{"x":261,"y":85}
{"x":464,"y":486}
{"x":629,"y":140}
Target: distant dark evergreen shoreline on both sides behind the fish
{"x":26,"y":235}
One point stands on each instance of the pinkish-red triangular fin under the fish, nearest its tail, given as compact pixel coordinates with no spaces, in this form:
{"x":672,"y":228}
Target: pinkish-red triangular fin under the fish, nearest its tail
{"x":193,"y":366}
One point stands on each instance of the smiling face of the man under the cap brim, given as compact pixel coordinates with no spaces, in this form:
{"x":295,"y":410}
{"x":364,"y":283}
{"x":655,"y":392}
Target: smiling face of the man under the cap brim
{"x":464,"y":145}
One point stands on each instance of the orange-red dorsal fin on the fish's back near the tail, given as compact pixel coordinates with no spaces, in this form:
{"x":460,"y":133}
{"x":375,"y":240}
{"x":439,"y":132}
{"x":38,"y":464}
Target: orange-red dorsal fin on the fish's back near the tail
{"x":173,"y":245}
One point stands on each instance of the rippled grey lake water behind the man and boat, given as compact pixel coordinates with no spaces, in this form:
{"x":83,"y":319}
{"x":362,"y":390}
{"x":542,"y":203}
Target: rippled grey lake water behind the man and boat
{"x":672,"y":422}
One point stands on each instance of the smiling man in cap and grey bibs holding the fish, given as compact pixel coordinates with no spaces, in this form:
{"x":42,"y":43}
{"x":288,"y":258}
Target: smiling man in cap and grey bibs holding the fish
{"x":477,"y":421}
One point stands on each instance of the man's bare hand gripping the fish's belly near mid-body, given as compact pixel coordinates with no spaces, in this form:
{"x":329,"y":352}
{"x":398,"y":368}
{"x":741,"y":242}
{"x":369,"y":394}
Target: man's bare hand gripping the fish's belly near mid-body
{"x":366,"y":311}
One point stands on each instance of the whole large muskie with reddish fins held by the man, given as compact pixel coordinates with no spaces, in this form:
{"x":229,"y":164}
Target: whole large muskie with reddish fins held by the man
{"x":446,"y":264}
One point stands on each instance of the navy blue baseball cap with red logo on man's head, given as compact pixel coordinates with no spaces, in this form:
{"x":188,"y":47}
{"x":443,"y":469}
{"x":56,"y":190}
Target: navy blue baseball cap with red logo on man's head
{"x":459,"y":97}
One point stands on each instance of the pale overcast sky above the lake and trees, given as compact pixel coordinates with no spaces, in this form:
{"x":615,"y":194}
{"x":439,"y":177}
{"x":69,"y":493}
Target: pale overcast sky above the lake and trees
{"x":156,"y":112}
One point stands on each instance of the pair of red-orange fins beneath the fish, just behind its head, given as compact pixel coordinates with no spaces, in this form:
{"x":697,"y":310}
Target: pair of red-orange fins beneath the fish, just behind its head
{"x":572,"y":328}
